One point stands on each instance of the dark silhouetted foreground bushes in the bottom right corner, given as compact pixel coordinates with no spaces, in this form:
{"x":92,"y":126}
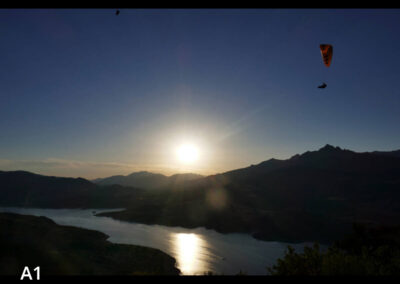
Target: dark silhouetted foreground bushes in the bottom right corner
{"x":368,"y":251}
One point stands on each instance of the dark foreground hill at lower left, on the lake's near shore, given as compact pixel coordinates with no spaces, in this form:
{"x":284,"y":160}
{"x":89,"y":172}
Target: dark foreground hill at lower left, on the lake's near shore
{"x":63,"y":250}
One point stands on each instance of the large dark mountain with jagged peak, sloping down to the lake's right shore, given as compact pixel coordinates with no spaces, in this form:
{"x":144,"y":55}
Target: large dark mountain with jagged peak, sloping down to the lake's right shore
{"x":314,"y":196}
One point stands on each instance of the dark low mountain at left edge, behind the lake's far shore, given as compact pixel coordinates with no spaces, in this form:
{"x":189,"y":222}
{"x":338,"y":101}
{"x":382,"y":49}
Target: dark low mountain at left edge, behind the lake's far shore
{"x":21,"y":188}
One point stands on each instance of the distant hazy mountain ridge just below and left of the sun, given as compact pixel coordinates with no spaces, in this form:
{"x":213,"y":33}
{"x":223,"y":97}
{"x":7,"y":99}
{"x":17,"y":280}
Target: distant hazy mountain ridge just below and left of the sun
{"x":146,"y":180}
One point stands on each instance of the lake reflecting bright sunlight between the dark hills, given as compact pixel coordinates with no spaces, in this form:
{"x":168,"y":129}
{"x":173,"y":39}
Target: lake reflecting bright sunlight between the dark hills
{"x":195,"y":250}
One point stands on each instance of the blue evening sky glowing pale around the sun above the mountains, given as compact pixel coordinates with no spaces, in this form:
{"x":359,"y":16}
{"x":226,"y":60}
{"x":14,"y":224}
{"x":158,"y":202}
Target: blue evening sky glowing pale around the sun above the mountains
{"x":87,"y":93}
